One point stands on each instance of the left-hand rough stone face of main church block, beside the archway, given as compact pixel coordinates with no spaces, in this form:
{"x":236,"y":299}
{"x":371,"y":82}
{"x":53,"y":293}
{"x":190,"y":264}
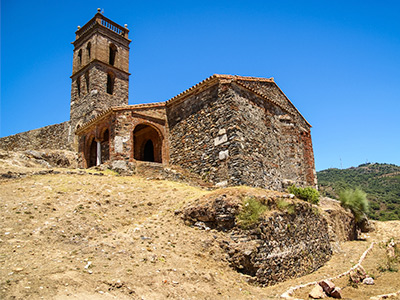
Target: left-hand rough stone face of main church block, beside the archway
{"x":199,"y":128}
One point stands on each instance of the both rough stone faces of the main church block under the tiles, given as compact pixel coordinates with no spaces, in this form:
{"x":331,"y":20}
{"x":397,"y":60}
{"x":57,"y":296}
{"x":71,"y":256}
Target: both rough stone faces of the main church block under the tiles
{"x":232,"y":136}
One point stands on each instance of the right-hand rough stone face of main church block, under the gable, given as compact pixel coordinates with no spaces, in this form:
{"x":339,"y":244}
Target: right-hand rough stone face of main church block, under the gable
{"x":272,"y":150}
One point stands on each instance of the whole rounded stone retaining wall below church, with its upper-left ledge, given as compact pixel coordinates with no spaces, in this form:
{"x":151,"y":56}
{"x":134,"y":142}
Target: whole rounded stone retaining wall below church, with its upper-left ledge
{"x":290,"y":240}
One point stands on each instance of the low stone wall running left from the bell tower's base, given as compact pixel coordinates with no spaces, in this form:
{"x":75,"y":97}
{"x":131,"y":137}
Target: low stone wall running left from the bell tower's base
{"x":55,"y":137}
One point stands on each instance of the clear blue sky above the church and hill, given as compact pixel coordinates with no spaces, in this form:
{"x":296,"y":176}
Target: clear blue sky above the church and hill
{"x":338,"y":62}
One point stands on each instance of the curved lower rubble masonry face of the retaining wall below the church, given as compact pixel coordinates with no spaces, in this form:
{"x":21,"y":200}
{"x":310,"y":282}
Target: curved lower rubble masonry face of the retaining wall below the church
{"x":282,"y":246}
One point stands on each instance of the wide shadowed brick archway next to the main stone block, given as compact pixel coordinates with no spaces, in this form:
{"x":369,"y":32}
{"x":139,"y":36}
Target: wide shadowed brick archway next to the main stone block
{"x":147,"y":144}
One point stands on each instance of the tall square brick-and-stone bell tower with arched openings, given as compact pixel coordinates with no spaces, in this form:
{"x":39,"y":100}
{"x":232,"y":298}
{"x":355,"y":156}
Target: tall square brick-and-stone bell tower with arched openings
{"x":100,"y":70}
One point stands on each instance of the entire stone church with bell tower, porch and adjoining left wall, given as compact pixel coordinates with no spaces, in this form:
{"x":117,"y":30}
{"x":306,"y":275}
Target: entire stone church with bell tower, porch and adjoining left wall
{"x":231,"y":130}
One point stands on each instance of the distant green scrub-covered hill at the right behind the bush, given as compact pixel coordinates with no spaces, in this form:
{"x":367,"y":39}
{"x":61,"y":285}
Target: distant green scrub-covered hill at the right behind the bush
{"x":381,"y":182}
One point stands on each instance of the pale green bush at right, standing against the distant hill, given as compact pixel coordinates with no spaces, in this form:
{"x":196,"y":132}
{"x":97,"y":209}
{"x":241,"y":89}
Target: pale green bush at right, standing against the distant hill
{"x":355,"y":200}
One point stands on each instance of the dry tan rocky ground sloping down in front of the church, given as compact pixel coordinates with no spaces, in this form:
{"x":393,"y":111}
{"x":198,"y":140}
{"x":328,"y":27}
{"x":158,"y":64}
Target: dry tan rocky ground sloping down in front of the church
{"x":73,"y":234}
